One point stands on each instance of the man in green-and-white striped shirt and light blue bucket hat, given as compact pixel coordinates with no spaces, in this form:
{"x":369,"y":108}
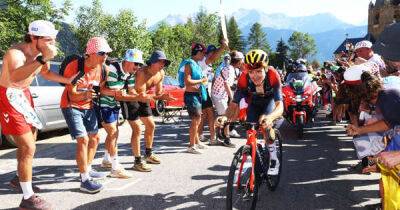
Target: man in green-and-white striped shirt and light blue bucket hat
{"x":119,"y":86}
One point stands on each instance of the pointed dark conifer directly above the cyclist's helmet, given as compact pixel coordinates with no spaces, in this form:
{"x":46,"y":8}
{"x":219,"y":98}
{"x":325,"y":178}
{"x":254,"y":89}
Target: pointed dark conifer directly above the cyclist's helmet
{"x":258,"y":39}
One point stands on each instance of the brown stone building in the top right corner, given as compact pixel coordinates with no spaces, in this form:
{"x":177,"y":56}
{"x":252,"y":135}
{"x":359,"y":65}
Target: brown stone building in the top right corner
{"x":382,"y":13}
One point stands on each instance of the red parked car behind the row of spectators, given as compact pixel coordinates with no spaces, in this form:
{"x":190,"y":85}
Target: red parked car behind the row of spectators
{"x":170,"y":85}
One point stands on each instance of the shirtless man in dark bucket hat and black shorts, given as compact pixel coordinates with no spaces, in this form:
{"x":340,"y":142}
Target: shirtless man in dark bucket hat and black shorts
{"x":150,"y":76}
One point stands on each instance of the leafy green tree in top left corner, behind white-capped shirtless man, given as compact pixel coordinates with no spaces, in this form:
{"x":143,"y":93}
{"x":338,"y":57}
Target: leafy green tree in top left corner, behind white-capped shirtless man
{"x":15,"y":16}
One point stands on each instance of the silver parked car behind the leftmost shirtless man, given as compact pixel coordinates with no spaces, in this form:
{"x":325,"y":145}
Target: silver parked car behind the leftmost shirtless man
{"x":46,"y":97}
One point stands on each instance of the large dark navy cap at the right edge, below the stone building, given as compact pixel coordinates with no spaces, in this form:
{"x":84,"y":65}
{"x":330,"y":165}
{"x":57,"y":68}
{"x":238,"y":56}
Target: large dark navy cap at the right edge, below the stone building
{"x":388,"y":43}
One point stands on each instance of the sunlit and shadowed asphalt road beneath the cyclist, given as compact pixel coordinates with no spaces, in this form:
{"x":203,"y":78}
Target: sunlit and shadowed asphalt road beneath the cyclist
{"x":315,"y":174}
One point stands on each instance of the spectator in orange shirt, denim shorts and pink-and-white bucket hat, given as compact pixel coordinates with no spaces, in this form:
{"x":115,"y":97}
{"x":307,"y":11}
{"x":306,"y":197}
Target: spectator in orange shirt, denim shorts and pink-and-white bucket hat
{"x":77,"y":108}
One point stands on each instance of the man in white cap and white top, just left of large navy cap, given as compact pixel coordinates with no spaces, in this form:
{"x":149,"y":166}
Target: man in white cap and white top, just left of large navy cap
{"x":364,"y":52}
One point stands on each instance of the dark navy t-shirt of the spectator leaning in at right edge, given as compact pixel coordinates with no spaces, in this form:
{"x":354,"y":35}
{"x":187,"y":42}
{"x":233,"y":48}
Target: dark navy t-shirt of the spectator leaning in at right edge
{"x":388,"y":104}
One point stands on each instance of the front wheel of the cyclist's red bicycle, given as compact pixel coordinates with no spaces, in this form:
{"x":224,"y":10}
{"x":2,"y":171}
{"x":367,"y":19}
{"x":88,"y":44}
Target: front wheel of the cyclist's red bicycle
{"x":239,"y":196}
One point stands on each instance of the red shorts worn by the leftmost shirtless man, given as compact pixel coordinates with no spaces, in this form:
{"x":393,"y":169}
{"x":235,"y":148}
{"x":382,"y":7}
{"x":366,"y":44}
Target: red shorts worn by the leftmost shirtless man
{"x":12,"y":122}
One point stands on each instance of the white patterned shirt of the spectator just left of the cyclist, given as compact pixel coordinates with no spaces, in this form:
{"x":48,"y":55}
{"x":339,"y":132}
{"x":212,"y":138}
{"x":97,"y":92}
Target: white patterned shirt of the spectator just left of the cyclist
{"x":228,"y":76}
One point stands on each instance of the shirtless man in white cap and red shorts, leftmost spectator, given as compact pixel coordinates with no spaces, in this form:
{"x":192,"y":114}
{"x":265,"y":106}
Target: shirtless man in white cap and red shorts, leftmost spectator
{"x":21,"y":63}
